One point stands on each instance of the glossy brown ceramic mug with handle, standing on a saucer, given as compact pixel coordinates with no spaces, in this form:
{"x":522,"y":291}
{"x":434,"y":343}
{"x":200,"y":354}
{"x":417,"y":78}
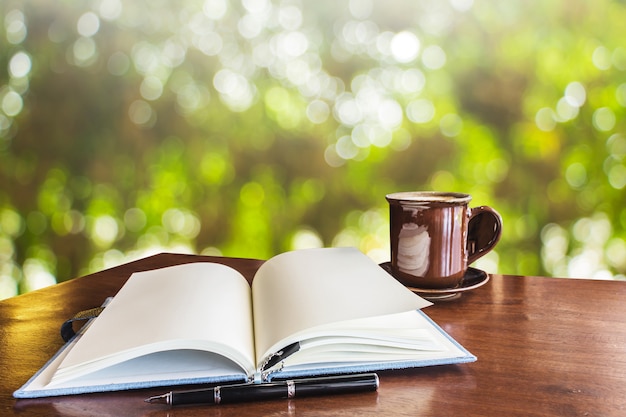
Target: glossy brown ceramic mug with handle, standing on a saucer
{"x":436,"y":235}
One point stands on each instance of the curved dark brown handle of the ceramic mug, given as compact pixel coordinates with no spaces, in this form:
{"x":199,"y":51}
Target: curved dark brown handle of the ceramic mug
{"x":484,"y":229}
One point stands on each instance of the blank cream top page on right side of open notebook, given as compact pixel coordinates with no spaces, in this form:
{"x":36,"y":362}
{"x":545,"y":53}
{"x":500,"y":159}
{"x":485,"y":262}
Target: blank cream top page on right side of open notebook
{"x":298,"y":290}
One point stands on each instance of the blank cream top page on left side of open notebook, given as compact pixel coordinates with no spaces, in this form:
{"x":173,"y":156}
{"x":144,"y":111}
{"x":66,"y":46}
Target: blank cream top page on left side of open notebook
{"x":204,"y":306}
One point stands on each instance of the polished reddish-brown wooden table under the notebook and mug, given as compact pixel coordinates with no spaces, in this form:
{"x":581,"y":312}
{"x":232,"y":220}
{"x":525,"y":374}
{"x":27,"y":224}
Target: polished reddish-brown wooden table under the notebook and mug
{"x":545,"y":347}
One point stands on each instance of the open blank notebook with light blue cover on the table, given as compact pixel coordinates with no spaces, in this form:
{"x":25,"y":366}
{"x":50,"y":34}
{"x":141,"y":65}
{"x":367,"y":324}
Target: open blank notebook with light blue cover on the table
{"x":308,"y":312}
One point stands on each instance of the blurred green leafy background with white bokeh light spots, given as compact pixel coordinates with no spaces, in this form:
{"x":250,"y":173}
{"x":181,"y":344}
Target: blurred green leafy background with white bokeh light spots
{"x":248,"y":128}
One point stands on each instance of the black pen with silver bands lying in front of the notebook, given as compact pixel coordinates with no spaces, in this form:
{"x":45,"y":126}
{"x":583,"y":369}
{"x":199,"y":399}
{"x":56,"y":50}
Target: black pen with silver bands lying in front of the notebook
{"x":291,"y":388}
